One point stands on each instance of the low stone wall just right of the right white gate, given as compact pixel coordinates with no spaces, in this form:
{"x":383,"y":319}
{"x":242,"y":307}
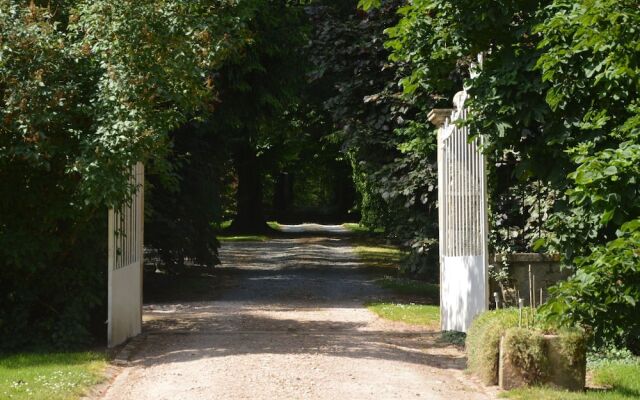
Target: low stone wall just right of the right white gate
{"x":545,"y":269}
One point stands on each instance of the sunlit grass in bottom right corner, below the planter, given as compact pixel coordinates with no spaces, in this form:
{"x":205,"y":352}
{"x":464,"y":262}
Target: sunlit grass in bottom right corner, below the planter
{"x":620,"y":381}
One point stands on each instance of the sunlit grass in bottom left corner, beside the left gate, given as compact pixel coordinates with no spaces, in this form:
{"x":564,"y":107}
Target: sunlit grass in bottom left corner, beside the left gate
{"x":49,"y":375}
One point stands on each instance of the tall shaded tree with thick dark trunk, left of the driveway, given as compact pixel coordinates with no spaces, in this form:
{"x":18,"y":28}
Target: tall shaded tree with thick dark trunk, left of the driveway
{"x":257,"y":89}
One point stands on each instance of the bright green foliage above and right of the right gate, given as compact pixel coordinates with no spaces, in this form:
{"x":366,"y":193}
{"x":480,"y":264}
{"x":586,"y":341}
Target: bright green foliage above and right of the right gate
{"x":556,"y":97}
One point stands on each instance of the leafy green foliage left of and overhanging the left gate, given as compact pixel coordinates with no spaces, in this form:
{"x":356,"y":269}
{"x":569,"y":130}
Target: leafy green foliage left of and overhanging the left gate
{"x":88,"y":89}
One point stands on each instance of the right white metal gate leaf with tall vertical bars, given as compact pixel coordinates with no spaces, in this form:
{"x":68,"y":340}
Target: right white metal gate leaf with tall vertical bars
{"x":462,"y":198}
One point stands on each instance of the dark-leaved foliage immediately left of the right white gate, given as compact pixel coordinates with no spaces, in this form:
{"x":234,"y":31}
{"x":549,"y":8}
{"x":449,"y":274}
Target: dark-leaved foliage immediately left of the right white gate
{"x":383,"y":135}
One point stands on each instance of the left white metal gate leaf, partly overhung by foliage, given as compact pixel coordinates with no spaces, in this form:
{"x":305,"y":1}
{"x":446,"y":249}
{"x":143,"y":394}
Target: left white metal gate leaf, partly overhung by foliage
{"x":125,"y":264}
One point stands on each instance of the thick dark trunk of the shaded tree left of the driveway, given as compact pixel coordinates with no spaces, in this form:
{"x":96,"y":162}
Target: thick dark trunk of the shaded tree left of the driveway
{"x":250,"y":216}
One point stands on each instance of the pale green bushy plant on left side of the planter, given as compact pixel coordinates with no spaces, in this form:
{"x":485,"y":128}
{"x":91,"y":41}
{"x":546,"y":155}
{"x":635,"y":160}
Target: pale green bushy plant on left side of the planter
{"x":483,"y":342}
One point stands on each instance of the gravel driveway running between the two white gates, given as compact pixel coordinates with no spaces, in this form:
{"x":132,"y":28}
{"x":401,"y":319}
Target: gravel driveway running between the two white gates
{"x":294,"y":327}
